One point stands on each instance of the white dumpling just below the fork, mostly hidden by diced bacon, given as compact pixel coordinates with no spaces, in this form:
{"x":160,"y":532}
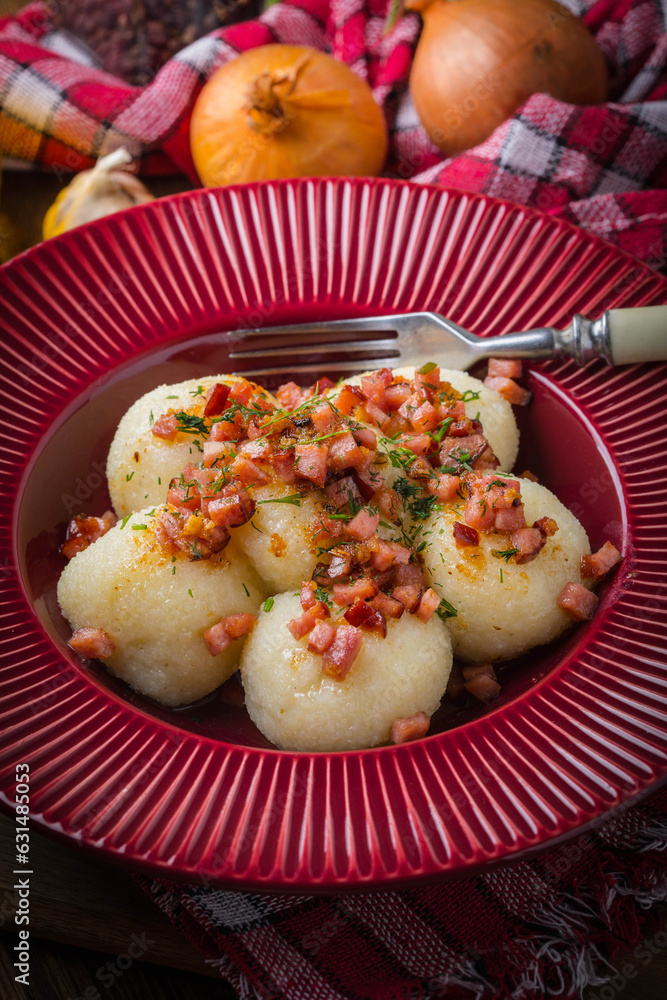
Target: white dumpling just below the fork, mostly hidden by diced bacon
{"x":495,"y":413}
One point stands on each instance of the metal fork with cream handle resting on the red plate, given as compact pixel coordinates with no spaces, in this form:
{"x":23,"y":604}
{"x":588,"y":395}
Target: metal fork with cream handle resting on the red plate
{"x":620,"y":336}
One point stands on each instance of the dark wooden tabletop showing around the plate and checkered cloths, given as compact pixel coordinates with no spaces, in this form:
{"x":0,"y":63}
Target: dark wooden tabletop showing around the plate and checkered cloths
{"x":85,"y":912}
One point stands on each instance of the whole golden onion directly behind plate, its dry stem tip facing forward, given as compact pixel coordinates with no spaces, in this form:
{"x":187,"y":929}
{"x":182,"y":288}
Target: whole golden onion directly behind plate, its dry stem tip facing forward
{"x":286,"y":111}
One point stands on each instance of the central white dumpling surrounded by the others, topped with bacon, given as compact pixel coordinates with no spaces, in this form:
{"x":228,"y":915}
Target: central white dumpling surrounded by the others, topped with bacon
{"x":278,"y":540}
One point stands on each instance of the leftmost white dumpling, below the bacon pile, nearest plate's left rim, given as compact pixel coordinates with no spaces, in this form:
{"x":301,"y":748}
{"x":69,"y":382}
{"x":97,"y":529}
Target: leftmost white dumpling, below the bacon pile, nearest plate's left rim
{"x":156,"y":609}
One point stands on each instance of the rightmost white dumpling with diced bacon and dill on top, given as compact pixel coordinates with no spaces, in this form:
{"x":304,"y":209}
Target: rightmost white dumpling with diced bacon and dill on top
{"x":502,"y":618}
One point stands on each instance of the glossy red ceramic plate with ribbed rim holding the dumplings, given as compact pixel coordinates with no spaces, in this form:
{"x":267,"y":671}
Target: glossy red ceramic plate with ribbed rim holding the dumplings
{"x":96,"y":317}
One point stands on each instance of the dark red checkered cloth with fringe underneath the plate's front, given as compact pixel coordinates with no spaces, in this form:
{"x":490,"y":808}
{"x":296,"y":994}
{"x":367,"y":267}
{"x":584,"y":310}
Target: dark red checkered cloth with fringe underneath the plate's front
{"x":543,"y":928}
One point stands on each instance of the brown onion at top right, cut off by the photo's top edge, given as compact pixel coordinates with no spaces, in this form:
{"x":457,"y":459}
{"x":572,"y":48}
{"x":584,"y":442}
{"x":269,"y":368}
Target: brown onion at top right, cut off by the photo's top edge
{"x":477,"y":61}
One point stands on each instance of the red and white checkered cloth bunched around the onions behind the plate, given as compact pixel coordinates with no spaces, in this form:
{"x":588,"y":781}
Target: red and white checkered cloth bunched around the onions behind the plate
{"x":602,"y":167}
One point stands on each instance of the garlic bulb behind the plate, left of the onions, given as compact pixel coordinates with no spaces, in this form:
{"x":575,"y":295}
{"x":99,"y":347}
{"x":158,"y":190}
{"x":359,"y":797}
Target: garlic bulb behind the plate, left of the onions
{"x":94,"y":193}
